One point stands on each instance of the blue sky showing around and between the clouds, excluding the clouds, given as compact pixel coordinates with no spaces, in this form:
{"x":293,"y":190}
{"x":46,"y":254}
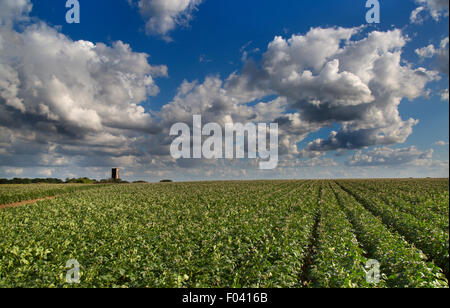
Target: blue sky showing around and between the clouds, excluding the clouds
{"x":211,"y":44}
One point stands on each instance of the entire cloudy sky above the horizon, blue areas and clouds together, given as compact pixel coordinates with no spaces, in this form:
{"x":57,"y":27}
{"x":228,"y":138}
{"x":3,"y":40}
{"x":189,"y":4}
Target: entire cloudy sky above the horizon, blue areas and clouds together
{"x":352,"y":100}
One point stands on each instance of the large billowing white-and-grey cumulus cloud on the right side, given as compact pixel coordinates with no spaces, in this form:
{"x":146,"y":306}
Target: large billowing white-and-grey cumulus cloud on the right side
{"x":329,"y":78}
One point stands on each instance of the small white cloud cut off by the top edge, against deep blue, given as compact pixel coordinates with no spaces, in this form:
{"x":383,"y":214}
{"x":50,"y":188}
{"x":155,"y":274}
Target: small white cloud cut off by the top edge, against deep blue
{"x":163,"y":16}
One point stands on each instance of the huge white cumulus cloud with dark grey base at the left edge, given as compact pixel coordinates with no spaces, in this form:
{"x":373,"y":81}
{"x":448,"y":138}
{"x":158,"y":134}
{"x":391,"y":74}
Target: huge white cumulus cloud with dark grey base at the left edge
{"x":59,"y":95}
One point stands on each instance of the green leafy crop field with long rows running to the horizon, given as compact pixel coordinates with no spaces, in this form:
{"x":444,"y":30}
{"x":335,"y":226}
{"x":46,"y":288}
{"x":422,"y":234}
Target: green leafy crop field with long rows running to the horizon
{"x":229,"y":234}
